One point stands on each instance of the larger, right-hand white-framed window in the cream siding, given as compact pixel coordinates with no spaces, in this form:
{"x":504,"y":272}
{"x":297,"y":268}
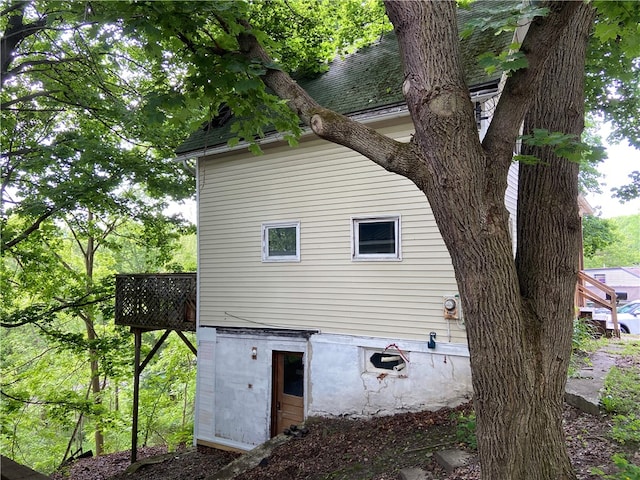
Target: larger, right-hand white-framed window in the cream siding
{"x":375,"y":238}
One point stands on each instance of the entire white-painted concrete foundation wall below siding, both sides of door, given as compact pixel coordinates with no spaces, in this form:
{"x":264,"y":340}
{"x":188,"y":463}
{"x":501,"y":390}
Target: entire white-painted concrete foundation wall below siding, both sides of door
{"x":233,"y":405}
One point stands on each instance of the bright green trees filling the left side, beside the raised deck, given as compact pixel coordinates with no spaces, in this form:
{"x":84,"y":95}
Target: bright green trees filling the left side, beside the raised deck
{"x":84,"y":142}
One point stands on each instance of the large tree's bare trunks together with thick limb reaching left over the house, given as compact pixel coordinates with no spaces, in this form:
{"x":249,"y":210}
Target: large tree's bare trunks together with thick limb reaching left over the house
{"x":518,"y":313}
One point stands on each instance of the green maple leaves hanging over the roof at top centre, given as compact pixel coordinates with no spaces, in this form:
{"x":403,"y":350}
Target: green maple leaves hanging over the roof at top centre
{"x":207,"y":68}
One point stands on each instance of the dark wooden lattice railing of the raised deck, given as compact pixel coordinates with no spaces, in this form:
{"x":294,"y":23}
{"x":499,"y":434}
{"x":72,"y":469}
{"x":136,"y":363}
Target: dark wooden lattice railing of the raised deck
{"x":159,"y":301}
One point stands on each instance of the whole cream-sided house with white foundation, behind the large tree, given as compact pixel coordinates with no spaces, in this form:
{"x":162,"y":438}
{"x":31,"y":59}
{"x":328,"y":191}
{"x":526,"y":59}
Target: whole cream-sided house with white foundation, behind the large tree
{"x":324,"y":285}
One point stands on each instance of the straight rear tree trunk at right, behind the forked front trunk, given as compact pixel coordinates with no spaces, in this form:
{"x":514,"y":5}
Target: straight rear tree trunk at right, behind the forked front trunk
{"x":547,"y":261}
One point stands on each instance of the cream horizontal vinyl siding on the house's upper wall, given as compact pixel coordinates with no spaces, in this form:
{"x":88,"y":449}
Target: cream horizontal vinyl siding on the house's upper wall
{"x":326,"y":186}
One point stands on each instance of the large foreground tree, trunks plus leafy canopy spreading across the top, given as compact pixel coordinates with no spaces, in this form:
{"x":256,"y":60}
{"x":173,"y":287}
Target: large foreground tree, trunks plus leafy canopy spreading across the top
{"x":95,"y":96}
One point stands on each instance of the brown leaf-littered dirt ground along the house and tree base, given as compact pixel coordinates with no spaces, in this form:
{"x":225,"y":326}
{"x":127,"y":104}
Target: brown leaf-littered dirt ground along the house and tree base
{"x":373,"y":449}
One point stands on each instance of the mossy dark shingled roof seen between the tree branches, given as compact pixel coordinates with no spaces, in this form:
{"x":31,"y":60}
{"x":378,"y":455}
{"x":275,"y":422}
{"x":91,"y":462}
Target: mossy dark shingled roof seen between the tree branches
{"x":369,"y":79}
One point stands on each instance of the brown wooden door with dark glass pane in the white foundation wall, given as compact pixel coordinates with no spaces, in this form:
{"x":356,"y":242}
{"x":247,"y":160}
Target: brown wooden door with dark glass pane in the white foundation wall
{"x":288,"y":391}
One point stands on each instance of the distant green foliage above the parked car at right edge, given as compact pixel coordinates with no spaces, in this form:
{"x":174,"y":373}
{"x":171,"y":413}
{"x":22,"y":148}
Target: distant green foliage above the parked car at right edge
{"x":625,"y":250}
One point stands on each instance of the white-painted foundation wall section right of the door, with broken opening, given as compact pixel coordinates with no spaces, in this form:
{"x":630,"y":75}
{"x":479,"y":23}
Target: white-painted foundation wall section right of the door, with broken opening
{"x":343,"y":381}
